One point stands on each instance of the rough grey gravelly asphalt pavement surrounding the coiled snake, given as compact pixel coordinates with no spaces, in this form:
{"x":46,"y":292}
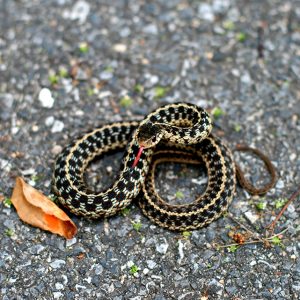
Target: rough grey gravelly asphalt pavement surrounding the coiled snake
{"x":101,"y":61}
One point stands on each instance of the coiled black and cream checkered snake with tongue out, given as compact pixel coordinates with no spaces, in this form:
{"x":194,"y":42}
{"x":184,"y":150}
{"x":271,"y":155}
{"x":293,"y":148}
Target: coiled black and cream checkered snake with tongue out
{"x":179,"y":132}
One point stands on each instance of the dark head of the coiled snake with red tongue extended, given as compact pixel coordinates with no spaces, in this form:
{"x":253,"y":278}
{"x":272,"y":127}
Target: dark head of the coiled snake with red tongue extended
{"x":148,"y":136}
